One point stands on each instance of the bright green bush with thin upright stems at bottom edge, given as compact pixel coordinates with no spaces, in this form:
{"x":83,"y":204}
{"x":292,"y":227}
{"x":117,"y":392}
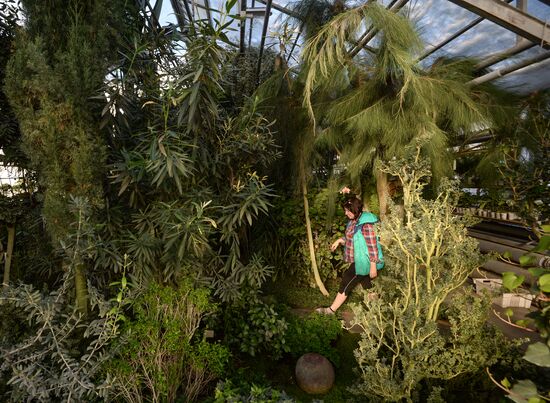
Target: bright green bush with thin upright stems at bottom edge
{"x":161,"y":353}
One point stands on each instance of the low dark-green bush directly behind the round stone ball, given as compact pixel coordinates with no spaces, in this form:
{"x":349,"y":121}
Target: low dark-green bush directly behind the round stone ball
{"x":313,"y":334}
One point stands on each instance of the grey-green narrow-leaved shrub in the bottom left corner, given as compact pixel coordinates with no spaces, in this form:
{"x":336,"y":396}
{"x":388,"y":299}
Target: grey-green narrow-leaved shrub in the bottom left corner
{"x":62,"y":354}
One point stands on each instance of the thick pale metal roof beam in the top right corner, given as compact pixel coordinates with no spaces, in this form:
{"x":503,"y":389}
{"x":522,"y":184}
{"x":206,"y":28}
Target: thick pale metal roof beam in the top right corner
{"x":510,"y":18}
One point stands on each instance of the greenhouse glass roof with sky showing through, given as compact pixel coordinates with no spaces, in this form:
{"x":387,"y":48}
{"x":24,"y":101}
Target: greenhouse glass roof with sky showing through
{"x":455,"y":28}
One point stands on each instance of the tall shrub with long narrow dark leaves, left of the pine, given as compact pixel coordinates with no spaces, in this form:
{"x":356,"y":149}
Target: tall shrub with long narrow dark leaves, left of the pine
{"x":190,"y":167}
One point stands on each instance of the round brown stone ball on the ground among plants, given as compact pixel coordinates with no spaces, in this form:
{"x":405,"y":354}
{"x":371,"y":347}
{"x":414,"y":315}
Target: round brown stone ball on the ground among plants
{"x":314,"y":374}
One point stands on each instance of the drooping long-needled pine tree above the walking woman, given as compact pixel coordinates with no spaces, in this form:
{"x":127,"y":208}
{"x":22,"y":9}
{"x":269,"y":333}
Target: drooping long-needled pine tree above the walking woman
{"x":372,"y":106}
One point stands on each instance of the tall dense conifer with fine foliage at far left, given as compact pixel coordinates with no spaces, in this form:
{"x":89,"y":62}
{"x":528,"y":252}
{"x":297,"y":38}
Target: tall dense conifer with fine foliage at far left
{"x":61,"y":59}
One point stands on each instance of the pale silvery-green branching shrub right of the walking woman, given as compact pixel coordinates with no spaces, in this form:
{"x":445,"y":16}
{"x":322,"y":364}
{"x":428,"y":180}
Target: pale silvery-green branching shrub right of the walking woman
{"x":428,"y":259}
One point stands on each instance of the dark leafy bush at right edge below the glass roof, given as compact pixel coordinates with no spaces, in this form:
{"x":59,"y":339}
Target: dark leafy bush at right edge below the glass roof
{"x":515,"y":164}
